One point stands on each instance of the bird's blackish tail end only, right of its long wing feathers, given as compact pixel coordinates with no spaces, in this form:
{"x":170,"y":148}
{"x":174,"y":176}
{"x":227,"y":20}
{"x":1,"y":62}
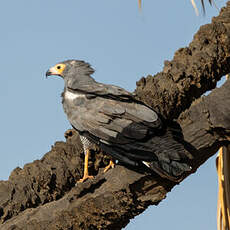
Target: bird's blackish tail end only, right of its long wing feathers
{"x":172,"y":158}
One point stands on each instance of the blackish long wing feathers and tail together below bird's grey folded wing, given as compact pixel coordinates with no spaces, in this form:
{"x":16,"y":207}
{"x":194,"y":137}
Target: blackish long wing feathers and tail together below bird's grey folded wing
{"x":164,"y":153}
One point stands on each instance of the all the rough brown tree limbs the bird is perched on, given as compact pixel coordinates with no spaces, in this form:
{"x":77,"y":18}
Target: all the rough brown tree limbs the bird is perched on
{"x":43,"y":194}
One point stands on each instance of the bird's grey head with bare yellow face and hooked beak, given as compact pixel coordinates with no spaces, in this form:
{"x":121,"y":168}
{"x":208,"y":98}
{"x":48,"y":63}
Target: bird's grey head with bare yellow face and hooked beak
{"x":71,"y":70}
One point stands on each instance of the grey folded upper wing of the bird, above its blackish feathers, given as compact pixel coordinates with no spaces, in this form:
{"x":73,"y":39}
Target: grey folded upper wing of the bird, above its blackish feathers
{"x":114,"y":121}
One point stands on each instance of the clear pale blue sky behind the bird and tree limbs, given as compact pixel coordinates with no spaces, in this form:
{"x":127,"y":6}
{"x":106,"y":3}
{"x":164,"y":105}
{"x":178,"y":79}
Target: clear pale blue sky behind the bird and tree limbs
{"x":123,"y":45}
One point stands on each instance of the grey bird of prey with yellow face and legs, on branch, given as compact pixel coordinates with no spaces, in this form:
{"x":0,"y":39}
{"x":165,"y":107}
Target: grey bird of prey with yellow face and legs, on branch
{"x":123,"y":127}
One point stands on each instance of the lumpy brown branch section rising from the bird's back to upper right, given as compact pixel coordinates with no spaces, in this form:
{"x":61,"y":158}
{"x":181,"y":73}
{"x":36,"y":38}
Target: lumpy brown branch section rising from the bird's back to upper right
{"x":193,"y":70}
